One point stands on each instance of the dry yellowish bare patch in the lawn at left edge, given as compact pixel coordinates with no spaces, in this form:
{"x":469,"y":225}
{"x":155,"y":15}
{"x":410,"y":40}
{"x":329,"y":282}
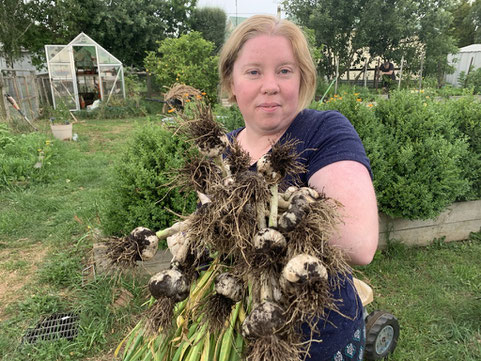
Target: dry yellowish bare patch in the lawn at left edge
{"x":13,"y":279}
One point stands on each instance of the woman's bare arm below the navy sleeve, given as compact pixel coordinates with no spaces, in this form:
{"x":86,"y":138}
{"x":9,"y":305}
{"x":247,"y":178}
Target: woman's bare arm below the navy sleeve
{"x":349,"y":182}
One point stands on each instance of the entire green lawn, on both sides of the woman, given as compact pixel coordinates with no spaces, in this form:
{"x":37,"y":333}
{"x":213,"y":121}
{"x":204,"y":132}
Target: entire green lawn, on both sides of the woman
{"x":47,"y":232}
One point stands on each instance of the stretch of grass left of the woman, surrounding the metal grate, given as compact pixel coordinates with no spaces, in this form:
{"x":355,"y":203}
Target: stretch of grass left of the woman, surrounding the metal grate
{"x":46,"y":237}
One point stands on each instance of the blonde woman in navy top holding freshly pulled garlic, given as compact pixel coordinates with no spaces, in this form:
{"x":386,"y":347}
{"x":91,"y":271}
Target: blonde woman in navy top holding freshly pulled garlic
{"x":266,"y":68}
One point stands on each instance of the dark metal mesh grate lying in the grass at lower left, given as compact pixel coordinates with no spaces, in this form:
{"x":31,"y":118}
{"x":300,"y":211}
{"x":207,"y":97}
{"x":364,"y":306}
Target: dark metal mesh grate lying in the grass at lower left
{"x":58,"y":325}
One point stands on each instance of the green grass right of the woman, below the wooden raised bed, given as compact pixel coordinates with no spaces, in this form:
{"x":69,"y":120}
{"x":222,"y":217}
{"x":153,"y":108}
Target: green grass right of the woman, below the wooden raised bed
{"x":435,"y":292}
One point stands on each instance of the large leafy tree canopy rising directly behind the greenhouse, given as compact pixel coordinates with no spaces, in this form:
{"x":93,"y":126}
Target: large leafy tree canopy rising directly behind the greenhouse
{"x":126,"y":28}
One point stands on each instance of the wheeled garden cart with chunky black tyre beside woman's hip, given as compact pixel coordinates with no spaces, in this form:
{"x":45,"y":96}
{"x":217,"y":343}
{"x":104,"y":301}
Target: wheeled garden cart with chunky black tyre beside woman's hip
{"x":382,"y":328}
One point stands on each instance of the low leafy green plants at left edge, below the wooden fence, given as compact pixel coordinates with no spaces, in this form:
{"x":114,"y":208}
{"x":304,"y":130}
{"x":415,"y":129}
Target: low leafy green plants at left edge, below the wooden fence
{"x":25,"y":158}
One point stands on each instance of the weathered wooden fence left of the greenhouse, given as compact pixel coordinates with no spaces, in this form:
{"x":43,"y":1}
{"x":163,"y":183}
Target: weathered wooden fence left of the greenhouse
{"x":29,"y":91}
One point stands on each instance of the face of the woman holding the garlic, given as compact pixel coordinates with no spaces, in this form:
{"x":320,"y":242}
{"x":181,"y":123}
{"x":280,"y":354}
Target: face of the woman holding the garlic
{"x":265,"y":82}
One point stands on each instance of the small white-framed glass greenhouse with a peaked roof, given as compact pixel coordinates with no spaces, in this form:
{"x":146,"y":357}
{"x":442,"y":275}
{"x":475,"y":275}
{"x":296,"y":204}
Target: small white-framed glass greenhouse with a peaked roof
{"x":82,"y":72}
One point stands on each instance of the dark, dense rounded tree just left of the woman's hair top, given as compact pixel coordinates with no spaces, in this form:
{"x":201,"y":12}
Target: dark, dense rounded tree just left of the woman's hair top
{"x":210,"y":22}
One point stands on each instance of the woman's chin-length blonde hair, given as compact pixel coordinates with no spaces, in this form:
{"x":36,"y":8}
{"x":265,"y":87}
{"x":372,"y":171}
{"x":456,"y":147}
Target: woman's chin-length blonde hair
{"x":269,"y":25}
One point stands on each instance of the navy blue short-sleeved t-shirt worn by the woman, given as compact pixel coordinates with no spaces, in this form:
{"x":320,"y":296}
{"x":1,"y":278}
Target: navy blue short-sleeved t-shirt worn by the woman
{"x":328,"y":137}
